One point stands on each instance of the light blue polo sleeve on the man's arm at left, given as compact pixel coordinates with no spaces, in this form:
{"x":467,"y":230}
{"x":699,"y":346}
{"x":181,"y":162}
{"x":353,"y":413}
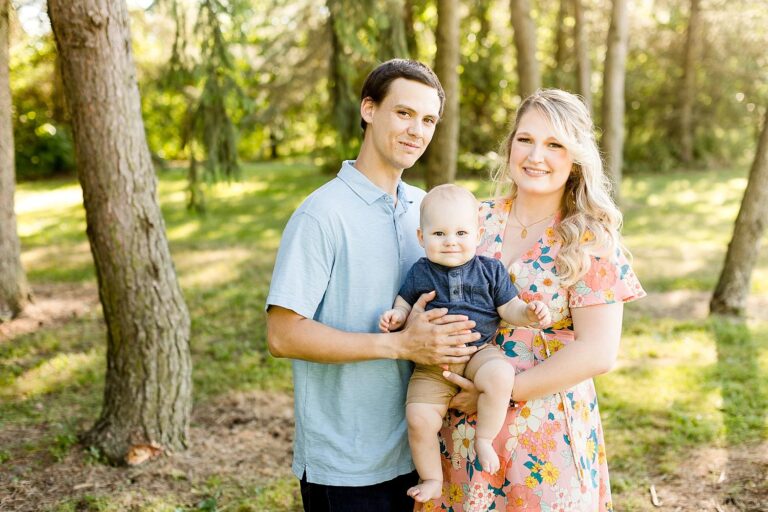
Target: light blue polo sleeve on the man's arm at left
{"x":303,"y":266}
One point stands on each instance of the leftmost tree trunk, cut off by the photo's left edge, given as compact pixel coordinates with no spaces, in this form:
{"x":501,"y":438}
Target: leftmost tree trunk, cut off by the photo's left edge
{"x":14,"y":292}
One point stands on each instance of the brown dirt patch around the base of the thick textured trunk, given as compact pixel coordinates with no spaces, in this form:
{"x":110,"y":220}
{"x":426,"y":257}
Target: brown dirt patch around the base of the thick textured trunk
{"x":243,"y":438}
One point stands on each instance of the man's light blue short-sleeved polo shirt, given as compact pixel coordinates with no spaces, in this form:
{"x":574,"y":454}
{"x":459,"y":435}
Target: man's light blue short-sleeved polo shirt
{"x":342,"y":259}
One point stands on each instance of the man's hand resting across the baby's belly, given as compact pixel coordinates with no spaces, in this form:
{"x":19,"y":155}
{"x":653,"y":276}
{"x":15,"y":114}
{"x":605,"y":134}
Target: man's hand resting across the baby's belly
{"x":435,"y":337}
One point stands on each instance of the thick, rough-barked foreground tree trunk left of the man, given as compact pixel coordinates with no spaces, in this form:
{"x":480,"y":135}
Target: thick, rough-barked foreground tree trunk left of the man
{"x":147,"y":395}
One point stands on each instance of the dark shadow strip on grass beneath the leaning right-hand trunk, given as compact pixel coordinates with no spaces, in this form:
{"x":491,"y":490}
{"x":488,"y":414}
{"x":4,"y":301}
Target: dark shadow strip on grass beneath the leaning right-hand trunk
{"x":744,"y":386}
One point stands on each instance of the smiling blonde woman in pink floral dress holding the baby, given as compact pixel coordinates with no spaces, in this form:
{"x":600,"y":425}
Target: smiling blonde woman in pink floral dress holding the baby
{"x":557,"y":232}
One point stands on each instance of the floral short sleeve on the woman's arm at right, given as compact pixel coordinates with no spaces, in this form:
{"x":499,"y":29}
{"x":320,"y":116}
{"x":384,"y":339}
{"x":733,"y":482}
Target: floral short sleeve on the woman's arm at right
{"x":607,"y":281}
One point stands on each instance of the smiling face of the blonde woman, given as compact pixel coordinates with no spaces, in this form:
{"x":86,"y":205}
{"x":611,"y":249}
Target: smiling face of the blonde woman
{"x":538,"y":163}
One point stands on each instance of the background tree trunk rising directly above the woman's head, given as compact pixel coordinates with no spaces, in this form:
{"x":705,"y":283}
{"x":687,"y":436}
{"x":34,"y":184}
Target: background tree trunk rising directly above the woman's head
{"x":528,"y":75}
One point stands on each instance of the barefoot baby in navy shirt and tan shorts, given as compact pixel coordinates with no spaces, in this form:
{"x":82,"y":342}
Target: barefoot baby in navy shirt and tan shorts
{"x":480,"y":288}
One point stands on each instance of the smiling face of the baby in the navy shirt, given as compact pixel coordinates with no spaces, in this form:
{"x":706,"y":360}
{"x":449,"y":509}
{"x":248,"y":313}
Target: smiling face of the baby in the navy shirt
{"x":449,"y":232}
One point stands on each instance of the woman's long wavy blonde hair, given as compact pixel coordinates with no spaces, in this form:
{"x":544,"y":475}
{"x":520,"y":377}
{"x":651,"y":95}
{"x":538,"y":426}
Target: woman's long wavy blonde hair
{"x":590,"y":220}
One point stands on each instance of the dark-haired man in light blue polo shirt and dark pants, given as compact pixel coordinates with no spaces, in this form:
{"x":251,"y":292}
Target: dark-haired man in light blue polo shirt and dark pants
{"x":342,"y":259}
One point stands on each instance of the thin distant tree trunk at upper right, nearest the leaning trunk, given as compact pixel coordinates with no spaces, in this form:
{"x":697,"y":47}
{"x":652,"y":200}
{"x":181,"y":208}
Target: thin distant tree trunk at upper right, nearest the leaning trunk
{"x":688,"y":85}
